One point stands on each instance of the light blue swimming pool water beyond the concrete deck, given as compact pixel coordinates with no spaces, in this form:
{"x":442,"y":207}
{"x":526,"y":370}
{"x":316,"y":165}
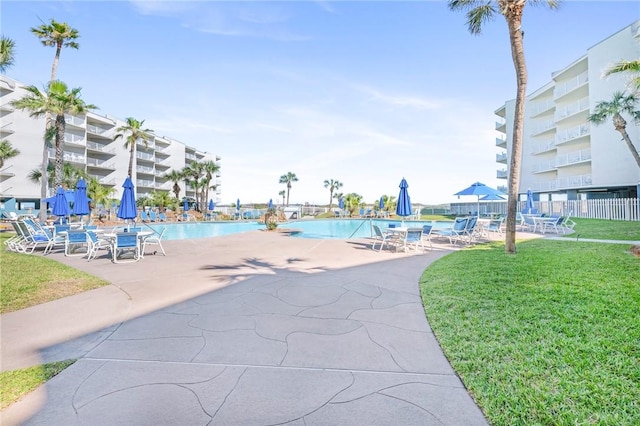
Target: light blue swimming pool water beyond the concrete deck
{"x":325,"y":228}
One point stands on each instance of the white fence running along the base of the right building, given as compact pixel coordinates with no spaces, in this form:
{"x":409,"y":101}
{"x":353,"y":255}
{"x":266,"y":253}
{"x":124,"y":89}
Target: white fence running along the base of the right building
{"x":611,"y":209}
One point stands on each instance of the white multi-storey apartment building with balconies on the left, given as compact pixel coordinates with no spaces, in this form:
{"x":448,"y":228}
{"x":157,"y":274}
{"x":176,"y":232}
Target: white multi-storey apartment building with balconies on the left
{"x":88,"y":145}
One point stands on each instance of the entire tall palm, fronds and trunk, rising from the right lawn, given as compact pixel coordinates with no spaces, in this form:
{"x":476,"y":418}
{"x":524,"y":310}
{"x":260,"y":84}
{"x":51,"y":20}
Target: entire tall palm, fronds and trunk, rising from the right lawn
{"x":478,"y":12}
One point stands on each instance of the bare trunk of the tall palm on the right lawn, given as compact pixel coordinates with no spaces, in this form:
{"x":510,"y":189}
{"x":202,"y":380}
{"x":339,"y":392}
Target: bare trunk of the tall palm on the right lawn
{"x":514,"y":20}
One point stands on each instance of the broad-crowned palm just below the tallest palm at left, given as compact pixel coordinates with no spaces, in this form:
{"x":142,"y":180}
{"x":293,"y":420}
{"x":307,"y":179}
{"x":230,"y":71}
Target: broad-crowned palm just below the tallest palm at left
{"x":58,"y":101}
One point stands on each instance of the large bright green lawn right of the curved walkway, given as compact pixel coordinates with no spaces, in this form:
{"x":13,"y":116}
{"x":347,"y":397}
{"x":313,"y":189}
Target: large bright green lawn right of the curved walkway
{"x":549,"y":336}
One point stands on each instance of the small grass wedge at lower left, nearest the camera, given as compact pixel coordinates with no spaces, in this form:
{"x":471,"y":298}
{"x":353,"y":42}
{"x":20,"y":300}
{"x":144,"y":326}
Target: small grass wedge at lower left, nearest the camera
{"x":17,"y":383}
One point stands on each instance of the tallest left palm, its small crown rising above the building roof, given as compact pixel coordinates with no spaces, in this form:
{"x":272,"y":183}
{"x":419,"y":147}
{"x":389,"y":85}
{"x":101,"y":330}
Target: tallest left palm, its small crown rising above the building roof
{"x":58,"y":34}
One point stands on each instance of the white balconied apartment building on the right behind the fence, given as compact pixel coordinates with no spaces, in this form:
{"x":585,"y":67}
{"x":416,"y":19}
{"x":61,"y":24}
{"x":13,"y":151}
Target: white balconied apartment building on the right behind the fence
{"x":564,"y":157}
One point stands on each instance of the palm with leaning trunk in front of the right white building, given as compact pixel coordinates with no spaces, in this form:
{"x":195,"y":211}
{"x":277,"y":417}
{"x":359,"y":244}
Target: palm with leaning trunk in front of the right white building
{"x":621,"y":103}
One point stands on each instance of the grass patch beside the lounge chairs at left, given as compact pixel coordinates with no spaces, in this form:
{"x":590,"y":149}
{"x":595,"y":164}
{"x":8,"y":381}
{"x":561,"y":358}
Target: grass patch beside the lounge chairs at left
{"x":29,"y":280}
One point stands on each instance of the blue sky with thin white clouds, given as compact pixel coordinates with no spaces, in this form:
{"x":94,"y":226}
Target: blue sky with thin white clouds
{"x":365,"y":92}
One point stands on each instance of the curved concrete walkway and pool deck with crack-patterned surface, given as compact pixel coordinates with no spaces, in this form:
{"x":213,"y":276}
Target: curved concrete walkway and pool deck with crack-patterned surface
{"x":248,"y":329}
